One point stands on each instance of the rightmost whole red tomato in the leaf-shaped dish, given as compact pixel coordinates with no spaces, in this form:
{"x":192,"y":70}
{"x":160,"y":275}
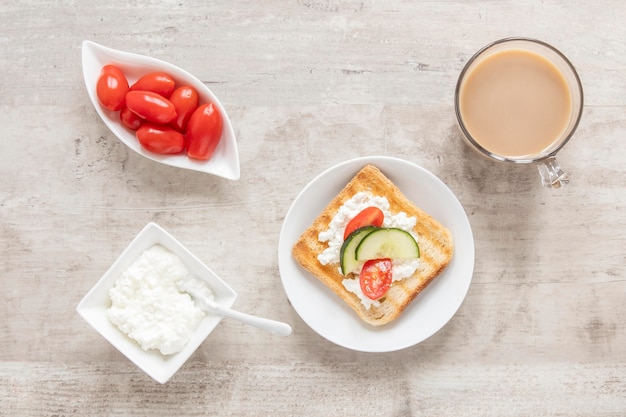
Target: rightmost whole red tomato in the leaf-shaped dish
{"x":204,"y":131}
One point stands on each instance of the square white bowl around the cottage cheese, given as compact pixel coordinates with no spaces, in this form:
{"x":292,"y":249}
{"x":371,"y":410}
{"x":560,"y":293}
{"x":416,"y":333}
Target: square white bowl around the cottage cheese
{"x":94,"y":305}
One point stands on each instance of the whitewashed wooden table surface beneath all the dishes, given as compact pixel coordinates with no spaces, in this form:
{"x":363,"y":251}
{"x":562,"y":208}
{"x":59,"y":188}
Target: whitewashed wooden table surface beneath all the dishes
{"x":309,"y":84}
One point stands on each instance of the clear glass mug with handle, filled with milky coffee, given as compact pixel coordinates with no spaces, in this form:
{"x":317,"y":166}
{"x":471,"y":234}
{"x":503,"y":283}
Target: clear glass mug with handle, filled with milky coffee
{"x":519,"y":100}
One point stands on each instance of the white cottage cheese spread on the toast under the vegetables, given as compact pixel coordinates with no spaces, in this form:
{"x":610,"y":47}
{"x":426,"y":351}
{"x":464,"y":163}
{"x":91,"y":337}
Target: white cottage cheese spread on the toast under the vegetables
{"x":334,"y":237}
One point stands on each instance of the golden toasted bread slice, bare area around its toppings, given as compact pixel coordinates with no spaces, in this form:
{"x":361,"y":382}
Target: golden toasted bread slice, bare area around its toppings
{"x":435,"y":243}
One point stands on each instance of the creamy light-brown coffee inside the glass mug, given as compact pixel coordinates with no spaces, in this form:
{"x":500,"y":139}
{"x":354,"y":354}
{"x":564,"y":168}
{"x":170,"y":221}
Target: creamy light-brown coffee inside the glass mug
{"x":515,"y":103}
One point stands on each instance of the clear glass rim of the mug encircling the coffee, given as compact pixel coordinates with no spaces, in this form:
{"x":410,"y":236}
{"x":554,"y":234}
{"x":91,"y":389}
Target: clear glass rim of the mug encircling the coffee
{"x":467,"y":66}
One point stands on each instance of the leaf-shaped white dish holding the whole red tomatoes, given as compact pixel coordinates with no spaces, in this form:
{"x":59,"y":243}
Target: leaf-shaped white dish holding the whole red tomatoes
{"x":225,"y":160}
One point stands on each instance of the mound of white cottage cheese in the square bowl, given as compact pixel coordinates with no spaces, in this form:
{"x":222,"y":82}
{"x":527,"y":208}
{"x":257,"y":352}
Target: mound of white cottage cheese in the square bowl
{"x":148,"y":306}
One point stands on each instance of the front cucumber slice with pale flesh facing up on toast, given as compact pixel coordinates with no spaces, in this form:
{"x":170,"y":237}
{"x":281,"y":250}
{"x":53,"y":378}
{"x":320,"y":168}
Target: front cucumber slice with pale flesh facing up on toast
{"x":387,"y":243}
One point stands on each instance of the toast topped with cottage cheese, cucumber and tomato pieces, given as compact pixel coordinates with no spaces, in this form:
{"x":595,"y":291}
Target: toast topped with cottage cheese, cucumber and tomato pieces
{"x":377,"y":264}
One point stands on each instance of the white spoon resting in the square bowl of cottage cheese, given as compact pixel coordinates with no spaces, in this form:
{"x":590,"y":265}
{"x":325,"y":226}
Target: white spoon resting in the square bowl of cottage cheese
{"x":272,"y":326}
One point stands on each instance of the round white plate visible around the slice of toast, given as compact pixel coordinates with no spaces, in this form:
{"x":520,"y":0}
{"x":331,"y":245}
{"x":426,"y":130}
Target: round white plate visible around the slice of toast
{"x":326,"y":313}
